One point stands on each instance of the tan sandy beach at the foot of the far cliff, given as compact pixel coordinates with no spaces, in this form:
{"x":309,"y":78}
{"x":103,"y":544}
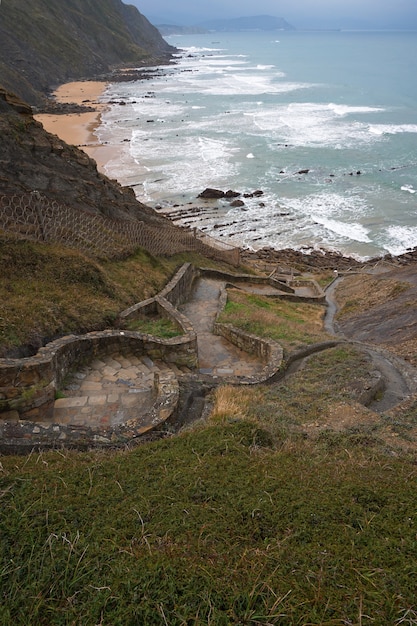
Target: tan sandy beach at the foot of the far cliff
{"x":78,"y":128}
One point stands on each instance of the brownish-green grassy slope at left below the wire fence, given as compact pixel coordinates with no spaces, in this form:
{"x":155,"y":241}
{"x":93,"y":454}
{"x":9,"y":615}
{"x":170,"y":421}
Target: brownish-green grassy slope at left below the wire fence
{"x":50,"y":291}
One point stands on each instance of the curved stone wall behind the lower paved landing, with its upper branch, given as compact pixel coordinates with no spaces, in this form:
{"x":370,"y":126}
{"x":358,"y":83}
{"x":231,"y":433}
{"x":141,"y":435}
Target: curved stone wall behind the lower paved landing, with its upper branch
{"x":29,"y":385}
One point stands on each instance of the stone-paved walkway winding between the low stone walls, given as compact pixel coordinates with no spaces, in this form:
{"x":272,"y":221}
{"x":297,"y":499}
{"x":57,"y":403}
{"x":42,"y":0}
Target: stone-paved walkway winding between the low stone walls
{"x":115,"y":389}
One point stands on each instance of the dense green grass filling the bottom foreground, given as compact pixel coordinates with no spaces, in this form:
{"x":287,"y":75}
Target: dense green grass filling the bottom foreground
{"x":220,"y":525}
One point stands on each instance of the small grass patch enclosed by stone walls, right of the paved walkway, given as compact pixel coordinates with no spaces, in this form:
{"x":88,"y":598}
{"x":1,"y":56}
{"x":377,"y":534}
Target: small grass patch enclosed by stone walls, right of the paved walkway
{"x":292,"y":324}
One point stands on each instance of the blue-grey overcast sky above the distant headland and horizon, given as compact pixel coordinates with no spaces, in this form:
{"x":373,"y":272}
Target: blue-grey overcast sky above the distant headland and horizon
{"x":301,"y":13}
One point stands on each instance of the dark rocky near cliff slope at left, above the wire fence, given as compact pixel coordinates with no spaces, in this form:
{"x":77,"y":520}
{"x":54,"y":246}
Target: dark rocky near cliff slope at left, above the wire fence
{"x":32,"y":159}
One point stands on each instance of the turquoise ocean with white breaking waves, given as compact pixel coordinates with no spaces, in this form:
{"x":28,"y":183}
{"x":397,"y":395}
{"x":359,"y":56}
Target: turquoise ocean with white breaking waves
{"x":250,"y":111}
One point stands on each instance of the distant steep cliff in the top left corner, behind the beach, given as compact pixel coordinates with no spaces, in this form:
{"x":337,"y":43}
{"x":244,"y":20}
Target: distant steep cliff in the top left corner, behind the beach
{"x":47,"y":42}
